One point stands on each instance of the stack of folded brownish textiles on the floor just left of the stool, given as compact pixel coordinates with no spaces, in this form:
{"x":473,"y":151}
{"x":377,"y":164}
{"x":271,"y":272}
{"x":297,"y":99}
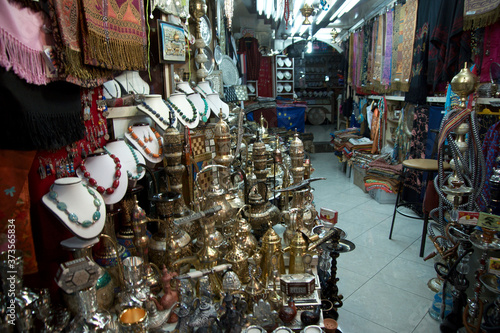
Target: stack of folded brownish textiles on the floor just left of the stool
{"x":382,"y":175}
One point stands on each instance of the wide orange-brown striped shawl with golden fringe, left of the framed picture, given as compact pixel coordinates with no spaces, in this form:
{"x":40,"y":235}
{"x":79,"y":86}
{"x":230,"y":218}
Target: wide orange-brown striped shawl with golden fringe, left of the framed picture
{"x":114,"y":34}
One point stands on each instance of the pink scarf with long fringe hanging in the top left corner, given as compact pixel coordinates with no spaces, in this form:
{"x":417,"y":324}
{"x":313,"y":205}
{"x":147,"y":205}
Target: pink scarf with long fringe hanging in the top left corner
{"x":22,"y":40}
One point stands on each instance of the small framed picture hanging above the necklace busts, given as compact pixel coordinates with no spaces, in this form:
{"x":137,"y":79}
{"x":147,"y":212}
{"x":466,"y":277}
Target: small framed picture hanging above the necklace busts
{"x":172,"y":43}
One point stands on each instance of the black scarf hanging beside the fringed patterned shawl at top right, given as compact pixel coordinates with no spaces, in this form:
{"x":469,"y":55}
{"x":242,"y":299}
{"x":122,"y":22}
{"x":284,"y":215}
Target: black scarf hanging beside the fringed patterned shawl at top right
{"x":449,"y":44}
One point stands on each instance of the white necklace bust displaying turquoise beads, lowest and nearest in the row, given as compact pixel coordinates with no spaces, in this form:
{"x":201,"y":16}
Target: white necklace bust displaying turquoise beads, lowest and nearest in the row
{"x":78,"y":200}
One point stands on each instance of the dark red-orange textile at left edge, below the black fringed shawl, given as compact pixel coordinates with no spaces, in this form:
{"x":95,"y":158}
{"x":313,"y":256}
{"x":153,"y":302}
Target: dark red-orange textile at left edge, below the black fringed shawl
{"x":15,"y":204}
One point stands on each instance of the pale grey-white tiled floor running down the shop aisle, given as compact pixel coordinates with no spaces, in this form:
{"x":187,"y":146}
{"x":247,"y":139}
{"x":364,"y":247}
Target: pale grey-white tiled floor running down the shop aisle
{"x":384,"y":282}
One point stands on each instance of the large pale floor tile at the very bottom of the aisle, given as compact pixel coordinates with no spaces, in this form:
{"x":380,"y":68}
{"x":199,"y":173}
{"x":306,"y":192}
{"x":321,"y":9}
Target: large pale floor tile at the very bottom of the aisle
{"x":388,"y":306}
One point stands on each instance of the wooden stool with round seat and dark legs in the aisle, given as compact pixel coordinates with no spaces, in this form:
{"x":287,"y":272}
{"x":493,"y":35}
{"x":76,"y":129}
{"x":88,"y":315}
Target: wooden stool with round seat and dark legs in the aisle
{"x":419,"y":164}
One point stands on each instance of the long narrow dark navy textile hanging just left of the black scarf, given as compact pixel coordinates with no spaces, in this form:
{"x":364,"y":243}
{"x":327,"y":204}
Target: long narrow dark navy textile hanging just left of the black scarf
{"x":427,"y":19}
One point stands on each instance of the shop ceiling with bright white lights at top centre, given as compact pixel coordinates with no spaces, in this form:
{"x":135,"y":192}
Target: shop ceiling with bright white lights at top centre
{"x":266,"y":18}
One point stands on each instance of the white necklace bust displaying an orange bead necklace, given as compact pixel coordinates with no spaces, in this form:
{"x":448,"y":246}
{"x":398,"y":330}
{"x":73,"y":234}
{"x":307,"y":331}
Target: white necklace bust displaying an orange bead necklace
{"x":154,"y":146}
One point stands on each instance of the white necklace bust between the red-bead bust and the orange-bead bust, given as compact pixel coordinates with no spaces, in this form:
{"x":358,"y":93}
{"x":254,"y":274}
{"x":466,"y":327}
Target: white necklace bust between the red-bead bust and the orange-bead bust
{"x":129,"y":159}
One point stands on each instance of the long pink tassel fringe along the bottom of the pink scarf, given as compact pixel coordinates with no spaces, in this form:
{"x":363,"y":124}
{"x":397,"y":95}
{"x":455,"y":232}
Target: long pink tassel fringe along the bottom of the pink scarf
{"x":27,"y":63}
